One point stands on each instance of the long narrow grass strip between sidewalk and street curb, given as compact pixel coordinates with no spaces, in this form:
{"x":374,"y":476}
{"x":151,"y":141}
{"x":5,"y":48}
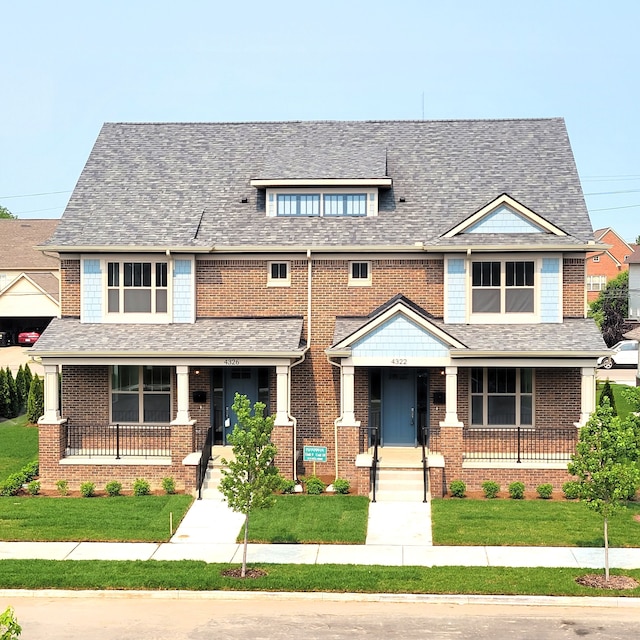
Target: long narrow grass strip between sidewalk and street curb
{"x":198,"y":576}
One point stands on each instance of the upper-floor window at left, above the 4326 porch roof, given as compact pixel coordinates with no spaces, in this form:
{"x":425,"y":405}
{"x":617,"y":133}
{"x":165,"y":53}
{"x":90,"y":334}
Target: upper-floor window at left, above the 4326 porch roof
{"x":137,"y":287}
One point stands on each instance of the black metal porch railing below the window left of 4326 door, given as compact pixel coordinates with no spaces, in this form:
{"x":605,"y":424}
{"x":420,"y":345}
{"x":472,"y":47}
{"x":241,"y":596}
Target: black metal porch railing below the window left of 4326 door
{"x":118,"y":440}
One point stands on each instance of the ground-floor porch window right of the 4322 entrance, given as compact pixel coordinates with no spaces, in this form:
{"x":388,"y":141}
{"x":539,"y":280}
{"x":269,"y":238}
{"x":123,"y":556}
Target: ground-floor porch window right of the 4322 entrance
{"x":501,"y":397}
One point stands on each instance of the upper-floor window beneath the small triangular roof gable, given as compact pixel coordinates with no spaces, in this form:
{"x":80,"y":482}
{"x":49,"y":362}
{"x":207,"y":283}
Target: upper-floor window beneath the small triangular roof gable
{"x":503,"y":287}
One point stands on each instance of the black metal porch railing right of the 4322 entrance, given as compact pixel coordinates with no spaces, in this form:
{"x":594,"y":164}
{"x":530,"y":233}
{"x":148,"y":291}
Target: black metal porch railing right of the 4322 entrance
{"x":519,"y":444}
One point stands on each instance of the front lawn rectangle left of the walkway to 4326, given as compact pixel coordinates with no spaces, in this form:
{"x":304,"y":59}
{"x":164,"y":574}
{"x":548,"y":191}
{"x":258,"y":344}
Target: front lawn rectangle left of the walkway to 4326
{"x":127,"y":518}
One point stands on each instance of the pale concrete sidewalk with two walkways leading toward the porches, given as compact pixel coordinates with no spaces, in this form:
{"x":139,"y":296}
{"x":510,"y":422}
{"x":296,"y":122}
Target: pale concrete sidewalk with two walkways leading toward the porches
{"x":209,"y":530}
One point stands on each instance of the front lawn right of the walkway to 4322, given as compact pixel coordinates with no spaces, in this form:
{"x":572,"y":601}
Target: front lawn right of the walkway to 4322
{"x":529,"y":523}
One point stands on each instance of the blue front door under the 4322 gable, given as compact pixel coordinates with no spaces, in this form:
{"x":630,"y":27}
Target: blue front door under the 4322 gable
{"x":399,"y":408}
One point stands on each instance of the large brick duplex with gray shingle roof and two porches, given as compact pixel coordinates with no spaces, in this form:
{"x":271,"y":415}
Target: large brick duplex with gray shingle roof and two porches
{"x":403,"y":282}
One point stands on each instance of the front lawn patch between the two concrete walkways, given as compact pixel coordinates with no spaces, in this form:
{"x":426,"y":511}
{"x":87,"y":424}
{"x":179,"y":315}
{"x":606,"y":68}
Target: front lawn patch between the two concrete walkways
{"x":328,"y":519}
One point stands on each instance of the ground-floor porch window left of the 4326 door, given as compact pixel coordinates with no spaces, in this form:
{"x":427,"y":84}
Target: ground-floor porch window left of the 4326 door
{"x":140,"y":394}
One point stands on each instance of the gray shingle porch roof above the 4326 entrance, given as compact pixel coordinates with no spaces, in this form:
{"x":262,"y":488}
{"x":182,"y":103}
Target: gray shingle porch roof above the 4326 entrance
{"x":207,"y":337}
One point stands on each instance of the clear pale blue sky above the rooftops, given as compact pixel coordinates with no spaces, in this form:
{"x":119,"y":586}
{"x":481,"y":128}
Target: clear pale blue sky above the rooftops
{"x":69,"y":66}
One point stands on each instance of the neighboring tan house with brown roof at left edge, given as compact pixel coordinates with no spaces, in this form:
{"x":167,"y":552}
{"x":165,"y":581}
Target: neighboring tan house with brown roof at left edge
{"x":29,"y":279}
